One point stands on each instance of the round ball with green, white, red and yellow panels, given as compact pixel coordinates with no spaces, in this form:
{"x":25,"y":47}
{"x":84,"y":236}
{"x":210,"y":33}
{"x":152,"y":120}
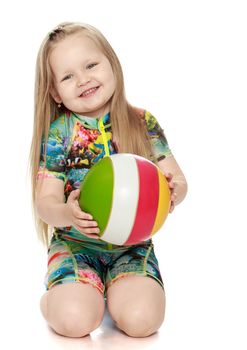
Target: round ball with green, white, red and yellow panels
{"x":128,"y":196}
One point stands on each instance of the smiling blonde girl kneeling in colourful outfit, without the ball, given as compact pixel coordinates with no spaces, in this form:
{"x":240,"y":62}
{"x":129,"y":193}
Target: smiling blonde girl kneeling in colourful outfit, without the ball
{"x":82,"y":115}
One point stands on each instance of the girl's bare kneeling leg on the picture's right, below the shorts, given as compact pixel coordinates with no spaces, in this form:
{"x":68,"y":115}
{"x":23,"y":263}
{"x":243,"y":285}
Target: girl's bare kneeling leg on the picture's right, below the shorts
{"x":137,"y":305}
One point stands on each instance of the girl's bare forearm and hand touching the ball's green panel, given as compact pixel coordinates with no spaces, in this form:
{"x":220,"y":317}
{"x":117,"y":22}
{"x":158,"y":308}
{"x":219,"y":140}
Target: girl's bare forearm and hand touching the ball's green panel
{"x":55,"y":212}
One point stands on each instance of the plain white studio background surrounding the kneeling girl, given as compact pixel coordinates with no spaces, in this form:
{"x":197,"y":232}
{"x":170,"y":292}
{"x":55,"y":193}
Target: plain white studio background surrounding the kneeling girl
{"x":185,"y":61}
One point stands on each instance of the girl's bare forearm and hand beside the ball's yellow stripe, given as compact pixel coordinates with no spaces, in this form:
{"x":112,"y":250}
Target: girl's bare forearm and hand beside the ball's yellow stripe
{"x":176,"y":179}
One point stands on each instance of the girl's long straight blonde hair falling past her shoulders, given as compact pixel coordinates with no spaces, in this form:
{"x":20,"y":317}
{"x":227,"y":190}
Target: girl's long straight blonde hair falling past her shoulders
{"x":128,"y":128}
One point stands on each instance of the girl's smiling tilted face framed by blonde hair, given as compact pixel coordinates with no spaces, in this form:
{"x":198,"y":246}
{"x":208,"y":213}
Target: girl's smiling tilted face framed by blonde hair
{"x":83,"y":77}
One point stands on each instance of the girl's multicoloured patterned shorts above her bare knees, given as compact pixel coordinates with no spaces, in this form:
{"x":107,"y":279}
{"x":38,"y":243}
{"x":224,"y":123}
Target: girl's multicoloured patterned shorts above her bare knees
{"x":72,"y":261}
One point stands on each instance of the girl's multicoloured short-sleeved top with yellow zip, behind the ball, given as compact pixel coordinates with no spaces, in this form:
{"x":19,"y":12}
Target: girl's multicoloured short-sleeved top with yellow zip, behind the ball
{"x":75,"y":143}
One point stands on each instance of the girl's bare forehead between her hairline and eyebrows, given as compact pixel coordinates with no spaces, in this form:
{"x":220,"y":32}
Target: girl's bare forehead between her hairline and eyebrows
{"x":73,"y":47}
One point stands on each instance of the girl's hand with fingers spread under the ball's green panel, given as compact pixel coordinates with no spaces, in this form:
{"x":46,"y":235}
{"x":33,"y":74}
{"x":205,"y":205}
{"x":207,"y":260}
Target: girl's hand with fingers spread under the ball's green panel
{"x":82,"y":221}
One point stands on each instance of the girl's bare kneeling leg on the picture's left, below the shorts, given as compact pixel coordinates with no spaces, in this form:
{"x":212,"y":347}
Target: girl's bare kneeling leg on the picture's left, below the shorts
{"x":73,"y":309}
